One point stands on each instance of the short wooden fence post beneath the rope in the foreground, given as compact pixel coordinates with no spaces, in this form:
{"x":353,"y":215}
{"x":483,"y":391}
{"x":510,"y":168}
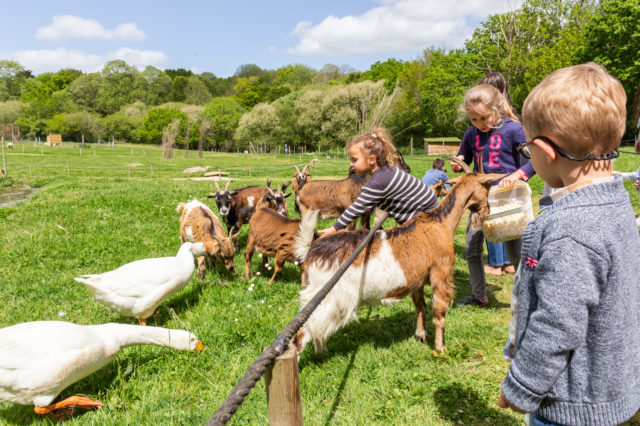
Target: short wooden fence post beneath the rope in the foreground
{"x":282,"y":383}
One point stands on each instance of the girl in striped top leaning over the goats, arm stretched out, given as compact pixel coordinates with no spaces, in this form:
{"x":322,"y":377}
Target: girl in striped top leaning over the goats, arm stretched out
{"x":388,"y":188}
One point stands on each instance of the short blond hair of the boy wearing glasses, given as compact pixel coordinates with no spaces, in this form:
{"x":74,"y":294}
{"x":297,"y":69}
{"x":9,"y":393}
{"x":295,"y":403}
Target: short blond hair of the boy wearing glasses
{"x":583,"y":106}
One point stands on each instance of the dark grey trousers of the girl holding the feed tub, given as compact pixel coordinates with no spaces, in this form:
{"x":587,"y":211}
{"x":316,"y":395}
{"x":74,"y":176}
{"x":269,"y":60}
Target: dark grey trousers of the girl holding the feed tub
{"x":473,"y":253}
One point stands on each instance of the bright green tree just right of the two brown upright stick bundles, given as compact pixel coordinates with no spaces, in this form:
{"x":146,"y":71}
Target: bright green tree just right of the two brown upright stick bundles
{"x":223,"y":115}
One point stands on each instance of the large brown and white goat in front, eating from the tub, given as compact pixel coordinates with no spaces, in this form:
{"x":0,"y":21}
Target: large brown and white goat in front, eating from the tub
{"x":398,"y":262}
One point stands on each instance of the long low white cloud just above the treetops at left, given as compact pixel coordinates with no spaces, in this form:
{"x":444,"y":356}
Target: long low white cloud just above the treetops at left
{"x":53,"y":60}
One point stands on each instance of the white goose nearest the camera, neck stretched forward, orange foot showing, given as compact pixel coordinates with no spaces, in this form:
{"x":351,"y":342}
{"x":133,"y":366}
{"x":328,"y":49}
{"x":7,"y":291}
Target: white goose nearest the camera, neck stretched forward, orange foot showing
{"x":39,"y":359}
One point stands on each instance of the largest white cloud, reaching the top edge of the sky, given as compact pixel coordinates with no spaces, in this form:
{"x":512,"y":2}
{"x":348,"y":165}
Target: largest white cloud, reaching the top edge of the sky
{"x":395,"y":26}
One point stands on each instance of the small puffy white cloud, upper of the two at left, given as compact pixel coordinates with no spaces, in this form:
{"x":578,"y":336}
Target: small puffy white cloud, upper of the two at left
{"x":67,"y":27}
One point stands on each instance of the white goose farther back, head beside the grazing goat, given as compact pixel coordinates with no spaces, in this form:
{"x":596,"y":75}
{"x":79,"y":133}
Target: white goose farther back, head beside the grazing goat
{"x":137,"y":288}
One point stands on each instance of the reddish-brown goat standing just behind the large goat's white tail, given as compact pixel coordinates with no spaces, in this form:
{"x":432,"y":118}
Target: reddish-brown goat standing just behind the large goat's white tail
{"x":275,"y":235}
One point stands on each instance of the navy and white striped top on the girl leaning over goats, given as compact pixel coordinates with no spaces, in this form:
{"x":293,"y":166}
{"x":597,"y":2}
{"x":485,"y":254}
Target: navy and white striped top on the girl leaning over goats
{"x":394,"y":191}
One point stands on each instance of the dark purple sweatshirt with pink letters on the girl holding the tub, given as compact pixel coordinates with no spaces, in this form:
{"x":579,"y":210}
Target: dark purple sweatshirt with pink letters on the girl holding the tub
{"x":498,"y":148}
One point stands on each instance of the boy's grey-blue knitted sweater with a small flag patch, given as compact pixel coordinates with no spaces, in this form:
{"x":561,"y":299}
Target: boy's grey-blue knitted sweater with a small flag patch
{"x":577,"y":358}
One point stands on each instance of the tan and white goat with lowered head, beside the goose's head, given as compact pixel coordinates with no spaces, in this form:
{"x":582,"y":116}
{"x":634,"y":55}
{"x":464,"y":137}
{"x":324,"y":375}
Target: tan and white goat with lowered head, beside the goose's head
{"x":199,"y":224}
